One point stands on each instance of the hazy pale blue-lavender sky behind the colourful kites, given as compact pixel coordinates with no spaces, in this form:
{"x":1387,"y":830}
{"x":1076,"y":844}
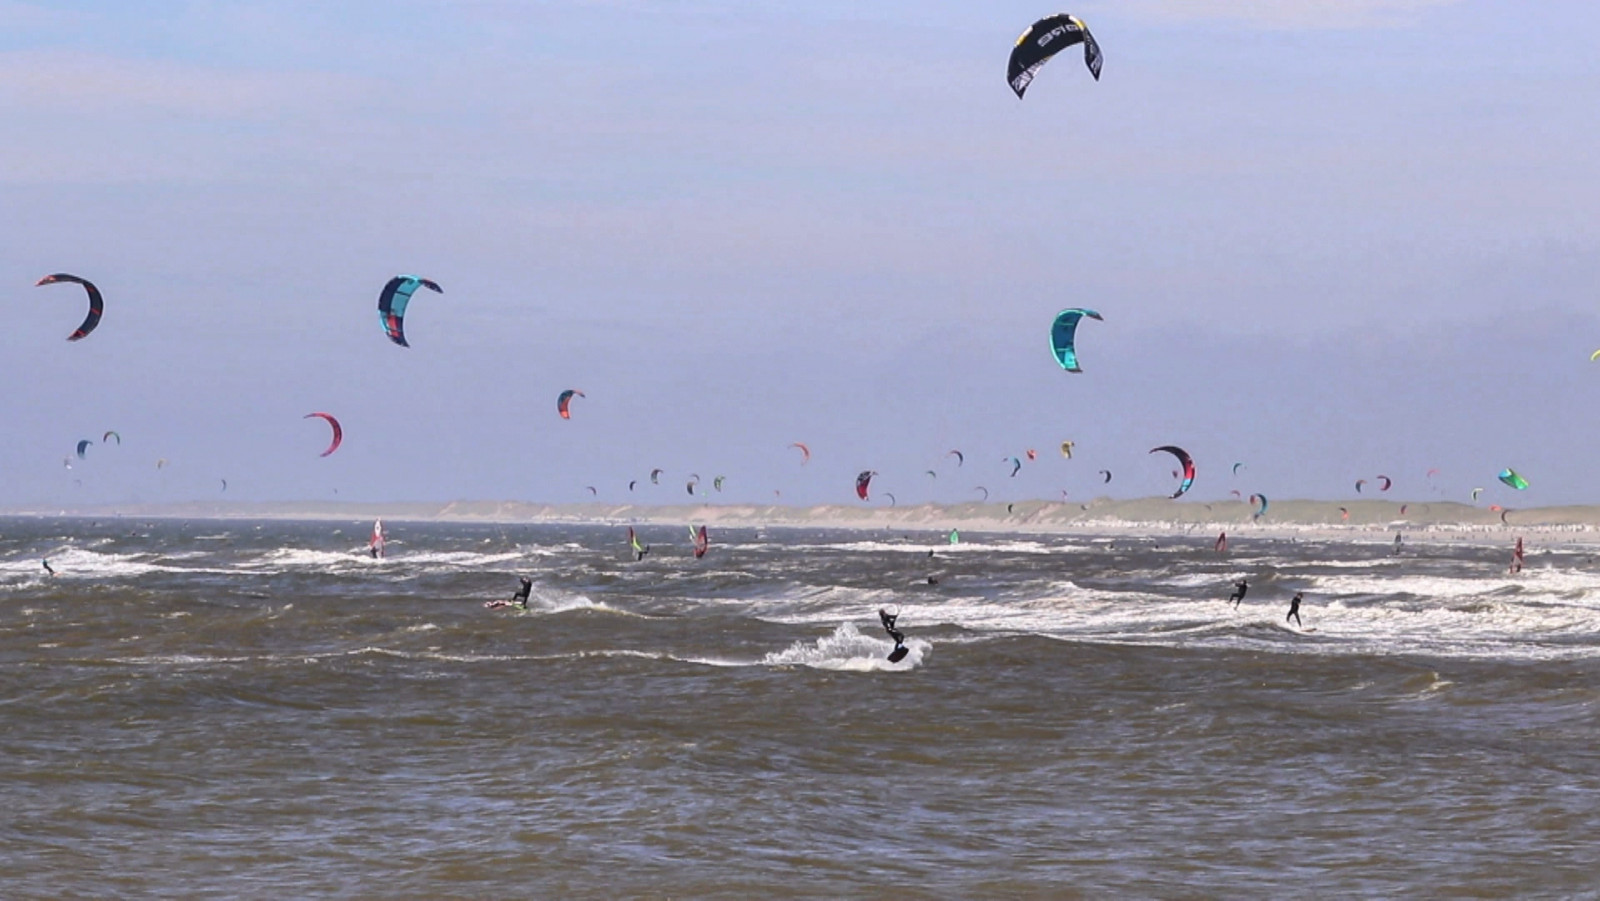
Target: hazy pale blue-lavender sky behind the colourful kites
{"x":1330,"y":241}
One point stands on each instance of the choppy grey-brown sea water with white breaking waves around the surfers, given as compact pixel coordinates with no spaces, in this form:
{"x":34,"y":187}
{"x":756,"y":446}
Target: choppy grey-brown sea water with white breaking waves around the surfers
{"x":228,"y":710}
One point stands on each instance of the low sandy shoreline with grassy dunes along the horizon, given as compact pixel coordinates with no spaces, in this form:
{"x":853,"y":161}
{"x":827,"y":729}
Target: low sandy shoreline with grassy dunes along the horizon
{"x":1146,"y":516}
